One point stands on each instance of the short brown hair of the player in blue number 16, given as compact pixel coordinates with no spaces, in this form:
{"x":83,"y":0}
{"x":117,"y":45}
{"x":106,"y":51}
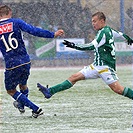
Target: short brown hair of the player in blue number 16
{"x":4,"y":10}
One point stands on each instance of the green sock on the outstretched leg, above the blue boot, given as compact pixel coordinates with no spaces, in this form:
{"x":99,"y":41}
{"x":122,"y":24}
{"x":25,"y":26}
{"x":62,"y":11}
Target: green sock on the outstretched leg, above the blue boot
{"x":61,"y":87}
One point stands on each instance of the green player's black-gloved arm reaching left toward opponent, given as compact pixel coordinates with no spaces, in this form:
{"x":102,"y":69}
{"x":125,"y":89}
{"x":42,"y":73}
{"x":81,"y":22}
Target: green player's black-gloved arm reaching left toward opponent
{"x":84,"y":47}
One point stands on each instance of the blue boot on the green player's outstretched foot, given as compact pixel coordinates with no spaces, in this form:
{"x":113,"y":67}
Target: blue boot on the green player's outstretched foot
{"x":44,"y":90}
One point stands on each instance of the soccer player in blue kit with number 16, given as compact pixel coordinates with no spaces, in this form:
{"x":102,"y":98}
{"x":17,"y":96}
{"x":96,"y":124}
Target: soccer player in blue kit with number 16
{"x":17,"y":61}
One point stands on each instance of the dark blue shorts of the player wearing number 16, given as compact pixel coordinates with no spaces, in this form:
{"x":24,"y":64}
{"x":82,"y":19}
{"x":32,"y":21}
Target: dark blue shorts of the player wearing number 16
{"x":17,"y":76}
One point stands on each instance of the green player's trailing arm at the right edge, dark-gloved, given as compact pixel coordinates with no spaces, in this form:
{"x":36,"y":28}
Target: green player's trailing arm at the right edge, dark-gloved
{"x":118,"y":34}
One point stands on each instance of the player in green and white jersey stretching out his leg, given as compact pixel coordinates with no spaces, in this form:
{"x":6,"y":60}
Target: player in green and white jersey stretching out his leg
{"x":104,"y":64}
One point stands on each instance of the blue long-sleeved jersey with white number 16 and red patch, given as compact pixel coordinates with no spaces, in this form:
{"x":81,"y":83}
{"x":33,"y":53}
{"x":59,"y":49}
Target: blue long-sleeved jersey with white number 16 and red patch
{"x":12,"y":44}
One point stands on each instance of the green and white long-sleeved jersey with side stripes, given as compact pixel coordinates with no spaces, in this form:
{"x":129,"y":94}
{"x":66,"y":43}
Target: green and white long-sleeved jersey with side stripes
{"x":103,"y":46}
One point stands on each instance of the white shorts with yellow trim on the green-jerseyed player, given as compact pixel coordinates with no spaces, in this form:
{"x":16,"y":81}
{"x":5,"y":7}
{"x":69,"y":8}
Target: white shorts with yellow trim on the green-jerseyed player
{"x":93,"y":72}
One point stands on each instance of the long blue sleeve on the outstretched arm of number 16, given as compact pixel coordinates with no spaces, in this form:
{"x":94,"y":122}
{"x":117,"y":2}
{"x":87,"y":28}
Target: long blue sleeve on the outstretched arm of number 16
{"x":35,"y":31}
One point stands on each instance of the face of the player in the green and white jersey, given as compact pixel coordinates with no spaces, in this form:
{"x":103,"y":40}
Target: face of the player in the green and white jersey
{"x":97,"y":23}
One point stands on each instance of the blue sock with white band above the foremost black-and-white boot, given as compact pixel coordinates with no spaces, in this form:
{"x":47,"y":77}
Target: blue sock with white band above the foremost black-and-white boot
{"x":25,"y":101}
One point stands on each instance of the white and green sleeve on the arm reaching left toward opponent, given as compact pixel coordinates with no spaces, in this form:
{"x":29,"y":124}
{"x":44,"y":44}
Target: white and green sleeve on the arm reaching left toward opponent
{"x":89,"y":46}
